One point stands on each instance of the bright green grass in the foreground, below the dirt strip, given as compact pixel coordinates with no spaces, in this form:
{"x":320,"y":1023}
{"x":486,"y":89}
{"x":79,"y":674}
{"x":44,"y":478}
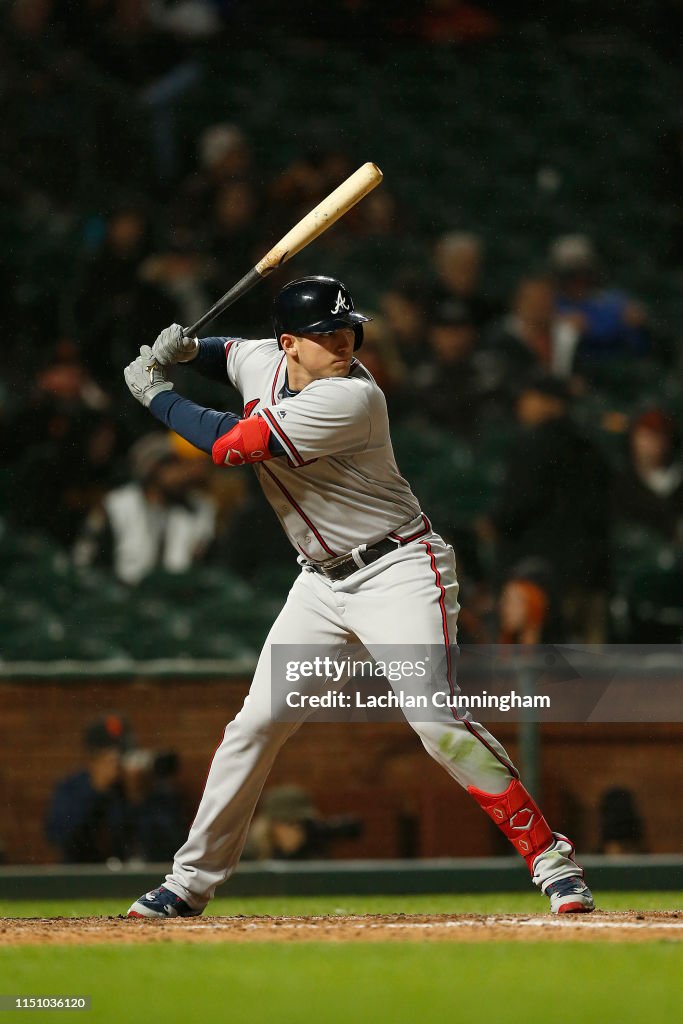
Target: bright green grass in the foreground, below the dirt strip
{"x":401,"y":984}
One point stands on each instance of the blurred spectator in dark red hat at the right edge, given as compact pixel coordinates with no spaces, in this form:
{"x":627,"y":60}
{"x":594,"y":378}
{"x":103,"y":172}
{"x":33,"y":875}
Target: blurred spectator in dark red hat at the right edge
{"x":650,"y":492}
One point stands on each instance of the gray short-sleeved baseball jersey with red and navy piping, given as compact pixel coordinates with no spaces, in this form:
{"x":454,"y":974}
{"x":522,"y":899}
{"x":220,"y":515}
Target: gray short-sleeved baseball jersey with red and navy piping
{"x":338,"y":486}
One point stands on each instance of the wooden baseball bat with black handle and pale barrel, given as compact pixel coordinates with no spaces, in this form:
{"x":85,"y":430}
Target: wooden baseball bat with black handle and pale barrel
{"x":323,"y":217}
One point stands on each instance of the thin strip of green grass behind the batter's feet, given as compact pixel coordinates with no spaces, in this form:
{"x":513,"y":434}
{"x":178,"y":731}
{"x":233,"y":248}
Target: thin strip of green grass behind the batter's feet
{"x":531,"y":903}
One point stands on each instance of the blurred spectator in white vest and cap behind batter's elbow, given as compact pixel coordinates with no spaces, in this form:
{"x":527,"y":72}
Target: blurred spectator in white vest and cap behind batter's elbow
{"x":160,"y":520}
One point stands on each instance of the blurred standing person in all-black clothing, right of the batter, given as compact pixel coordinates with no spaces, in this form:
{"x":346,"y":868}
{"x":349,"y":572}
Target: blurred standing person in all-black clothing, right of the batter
{"x":554,"y":505}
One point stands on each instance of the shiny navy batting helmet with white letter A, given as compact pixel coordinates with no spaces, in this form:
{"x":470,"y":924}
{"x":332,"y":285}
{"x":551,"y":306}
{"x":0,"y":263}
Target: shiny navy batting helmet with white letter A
{"x":317,"y":306}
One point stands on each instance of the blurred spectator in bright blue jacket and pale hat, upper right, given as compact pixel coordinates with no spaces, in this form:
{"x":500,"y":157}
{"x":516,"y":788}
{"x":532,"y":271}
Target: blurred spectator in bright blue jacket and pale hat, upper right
{"x":607,"y":323}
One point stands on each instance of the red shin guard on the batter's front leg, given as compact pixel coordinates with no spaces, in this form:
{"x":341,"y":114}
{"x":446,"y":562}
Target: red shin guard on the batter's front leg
{"x":520,"y":819}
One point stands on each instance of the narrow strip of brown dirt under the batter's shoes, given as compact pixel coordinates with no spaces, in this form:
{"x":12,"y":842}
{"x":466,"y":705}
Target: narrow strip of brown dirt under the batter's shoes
{"x":612,"y":927}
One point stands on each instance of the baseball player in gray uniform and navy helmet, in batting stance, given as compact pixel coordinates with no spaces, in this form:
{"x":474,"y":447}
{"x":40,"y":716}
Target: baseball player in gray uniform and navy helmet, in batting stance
{"x":315,"y":428}
